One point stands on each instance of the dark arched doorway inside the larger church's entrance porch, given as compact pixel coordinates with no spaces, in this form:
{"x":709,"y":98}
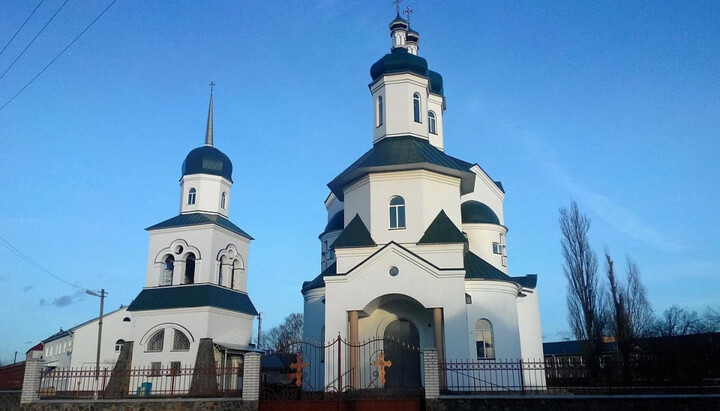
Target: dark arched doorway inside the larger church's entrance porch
{"x":405,"y":369}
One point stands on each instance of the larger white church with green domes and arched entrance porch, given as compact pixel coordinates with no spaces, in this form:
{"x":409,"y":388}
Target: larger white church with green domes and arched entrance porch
{"x":414,"y":246}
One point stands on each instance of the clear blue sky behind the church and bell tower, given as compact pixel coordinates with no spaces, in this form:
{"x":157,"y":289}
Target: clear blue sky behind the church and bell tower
{"x":613,"y":104}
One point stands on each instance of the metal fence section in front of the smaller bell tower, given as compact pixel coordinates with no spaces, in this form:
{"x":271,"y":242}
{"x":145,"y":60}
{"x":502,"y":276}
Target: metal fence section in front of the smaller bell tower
{"x":144,"y":382}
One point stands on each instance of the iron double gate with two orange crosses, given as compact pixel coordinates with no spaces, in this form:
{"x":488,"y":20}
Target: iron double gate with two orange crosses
{"x":380,"y":368}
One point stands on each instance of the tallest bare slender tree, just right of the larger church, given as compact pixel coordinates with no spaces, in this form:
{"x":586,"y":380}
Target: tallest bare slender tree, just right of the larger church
{"x":586,"y":306}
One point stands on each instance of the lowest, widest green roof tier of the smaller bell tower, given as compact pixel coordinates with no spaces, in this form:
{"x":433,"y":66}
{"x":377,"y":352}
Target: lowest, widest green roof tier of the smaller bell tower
{"x":197,"y":295}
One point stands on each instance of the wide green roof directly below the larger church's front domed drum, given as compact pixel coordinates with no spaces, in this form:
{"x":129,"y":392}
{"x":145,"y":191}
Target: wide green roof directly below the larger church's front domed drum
{"x":404,"y":153}
